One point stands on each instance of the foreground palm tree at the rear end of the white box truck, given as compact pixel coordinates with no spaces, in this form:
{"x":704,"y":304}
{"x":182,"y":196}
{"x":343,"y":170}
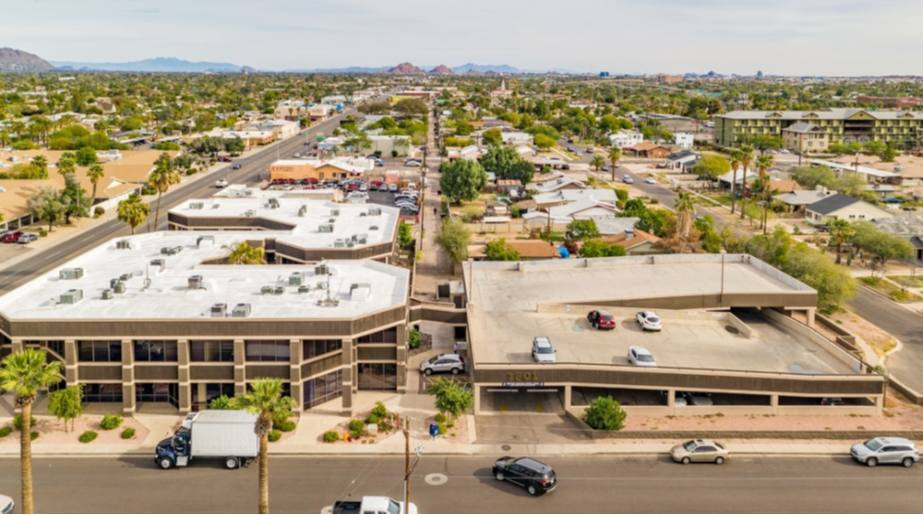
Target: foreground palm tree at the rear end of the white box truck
{"x":264,"y":400}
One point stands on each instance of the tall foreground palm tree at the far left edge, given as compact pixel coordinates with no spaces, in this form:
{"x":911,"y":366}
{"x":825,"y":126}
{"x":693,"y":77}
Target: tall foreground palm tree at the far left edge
{"x":26,"y":374}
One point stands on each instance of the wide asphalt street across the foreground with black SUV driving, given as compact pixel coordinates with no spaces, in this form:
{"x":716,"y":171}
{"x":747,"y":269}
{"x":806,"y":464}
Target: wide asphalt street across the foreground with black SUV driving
{"x":587,"y":485}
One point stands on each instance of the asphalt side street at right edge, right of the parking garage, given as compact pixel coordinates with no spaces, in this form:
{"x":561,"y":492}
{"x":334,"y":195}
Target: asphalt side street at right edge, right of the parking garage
{"x":901,"y":323}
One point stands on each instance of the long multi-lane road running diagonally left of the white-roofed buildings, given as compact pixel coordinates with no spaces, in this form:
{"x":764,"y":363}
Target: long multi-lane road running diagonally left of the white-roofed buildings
{"x":55,"y":255}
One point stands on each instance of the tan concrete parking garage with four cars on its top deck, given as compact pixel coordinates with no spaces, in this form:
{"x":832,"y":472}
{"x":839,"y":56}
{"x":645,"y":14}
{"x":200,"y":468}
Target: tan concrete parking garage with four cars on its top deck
{"x":726,"y":333}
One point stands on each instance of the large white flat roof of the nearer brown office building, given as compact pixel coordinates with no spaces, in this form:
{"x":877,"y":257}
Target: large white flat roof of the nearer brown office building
{"x":168,"y":296}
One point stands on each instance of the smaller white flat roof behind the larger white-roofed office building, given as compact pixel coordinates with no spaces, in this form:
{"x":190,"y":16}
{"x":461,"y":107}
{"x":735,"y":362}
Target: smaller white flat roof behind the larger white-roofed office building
{"x":306,"y":233}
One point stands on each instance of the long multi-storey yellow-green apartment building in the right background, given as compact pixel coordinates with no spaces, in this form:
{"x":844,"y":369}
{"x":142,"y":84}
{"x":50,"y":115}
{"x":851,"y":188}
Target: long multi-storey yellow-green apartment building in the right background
{"x":903,"y":129}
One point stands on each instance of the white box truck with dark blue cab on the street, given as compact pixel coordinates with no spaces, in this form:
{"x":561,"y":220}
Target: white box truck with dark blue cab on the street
{"x":227,"y":435}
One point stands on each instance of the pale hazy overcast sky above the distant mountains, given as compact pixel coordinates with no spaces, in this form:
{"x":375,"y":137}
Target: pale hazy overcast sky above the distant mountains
{"x":781,"y":37}
